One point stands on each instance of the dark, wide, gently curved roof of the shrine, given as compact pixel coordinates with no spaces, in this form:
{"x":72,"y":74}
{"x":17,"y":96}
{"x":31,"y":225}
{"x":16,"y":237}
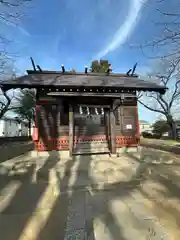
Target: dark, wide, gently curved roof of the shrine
{"x":81,"y":80}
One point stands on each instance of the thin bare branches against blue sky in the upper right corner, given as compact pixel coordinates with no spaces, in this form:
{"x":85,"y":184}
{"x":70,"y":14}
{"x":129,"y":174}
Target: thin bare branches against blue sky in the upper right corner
{"x":168,"y":29}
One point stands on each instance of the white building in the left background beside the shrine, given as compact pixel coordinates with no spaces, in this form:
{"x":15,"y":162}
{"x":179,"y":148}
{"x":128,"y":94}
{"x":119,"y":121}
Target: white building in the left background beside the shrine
{"x":11,"y":127}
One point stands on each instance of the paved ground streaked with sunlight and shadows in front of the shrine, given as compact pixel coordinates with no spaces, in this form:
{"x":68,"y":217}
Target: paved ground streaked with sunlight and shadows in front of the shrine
{"x":82,"y":198}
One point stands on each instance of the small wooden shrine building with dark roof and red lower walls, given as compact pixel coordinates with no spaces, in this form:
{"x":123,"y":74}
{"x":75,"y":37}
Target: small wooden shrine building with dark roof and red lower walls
{"x":84,"y":112}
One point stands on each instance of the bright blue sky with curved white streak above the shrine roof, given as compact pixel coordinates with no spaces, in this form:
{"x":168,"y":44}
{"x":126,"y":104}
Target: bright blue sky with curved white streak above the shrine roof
{"x":75,"y":32}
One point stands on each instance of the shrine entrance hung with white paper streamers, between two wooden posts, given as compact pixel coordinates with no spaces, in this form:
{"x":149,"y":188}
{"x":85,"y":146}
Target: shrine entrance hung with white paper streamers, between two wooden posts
{"x":91,"y":126}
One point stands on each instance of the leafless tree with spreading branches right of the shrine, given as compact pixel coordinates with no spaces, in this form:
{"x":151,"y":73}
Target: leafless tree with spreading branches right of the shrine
{"x":168,"y":104}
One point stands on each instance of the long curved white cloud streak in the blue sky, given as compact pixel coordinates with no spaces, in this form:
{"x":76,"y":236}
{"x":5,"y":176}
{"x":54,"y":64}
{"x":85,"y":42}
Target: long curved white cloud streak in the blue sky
{"x":125,"y":29}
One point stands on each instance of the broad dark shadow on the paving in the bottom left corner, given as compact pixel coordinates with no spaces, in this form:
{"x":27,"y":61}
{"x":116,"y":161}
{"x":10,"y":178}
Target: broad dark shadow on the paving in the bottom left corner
{"x":19,"y":198}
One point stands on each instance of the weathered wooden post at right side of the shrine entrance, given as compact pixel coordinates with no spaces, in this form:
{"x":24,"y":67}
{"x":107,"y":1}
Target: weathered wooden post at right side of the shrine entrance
{"x":112,"y":131}
